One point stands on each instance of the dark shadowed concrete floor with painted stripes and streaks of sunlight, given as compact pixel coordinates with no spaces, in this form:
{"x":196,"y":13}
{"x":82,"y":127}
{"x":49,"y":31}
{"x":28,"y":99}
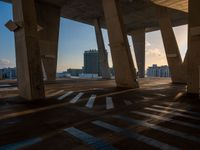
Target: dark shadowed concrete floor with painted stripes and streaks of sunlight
{"x":156,"y":116}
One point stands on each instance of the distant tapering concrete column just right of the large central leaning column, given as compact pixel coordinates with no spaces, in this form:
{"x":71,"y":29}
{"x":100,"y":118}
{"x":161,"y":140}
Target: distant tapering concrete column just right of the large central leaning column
{"x":138,"y":38}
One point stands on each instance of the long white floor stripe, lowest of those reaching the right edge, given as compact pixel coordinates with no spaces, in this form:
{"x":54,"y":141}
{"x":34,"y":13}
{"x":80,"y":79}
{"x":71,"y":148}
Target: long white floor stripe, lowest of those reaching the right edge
{"x":159,"y":128}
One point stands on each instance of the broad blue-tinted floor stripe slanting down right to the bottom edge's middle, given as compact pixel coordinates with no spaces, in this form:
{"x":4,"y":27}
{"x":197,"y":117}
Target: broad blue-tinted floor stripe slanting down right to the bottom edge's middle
{"x":94,"y":142}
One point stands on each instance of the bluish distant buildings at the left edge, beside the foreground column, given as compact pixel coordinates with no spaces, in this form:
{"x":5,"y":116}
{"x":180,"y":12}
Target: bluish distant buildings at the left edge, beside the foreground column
{"x":8,"y":73}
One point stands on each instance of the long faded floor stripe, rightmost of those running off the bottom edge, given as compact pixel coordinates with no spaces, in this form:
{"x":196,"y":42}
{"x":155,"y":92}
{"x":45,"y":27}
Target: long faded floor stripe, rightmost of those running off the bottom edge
{"x":136,"y":136}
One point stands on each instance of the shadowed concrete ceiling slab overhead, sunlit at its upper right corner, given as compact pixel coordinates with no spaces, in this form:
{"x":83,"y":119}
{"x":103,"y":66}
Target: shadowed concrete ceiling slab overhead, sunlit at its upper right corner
{"x":136,"y":13}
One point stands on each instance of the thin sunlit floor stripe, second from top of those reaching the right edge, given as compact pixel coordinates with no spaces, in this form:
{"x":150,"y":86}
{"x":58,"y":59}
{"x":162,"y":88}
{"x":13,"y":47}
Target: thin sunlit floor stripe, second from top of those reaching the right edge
{"x":172,"y":112}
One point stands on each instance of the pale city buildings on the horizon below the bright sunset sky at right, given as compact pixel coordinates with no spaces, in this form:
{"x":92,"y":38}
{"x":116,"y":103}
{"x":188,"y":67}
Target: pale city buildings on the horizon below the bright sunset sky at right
{"x":158,"y":71}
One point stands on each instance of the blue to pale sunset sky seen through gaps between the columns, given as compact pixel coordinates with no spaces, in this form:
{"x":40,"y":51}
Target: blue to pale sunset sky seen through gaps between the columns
{"x":75,"y":38}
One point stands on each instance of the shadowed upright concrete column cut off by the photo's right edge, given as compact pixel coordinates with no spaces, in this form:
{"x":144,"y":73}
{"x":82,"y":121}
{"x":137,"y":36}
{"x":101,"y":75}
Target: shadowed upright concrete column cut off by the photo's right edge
{"x":193,"y":70}
